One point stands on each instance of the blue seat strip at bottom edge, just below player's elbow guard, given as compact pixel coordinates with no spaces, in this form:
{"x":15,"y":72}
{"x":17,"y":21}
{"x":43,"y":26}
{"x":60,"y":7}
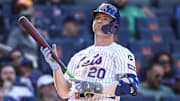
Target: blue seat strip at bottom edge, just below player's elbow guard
{"x":137,"y":98}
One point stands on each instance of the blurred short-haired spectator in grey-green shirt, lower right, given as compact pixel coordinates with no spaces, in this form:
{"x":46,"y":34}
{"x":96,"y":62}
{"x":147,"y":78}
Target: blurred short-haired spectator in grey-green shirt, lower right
{"x":152,"y":85}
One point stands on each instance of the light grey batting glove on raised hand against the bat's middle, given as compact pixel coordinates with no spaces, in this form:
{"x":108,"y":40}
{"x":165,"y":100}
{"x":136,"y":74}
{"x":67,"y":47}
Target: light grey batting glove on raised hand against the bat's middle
{"x":48,"y":57}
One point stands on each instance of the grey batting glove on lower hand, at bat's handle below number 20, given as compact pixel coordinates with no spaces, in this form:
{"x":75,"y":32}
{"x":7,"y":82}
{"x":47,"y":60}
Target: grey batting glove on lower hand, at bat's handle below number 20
{"x":86,"y":86}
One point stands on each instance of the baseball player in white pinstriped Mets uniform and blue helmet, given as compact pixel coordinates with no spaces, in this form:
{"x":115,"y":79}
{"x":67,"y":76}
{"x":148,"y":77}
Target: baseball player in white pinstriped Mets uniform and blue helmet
{"x":103,"y":71}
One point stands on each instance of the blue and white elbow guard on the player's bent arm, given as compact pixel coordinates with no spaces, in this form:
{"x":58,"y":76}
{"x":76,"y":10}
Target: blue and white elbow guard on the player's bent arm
{"x":127,"y":86}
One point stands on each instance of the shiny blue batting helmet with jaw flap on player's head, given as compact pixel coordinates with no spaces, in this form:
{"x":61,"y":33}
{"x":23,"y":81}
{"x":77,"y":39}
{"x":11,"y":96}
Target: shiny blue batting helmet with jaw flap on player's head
{"x":112,"y":11}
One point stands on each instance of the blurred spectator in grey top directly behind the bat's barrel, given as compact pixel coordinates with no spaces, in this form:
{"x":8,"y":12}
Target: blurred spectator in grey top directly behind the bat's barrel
{"x":18,"y":38}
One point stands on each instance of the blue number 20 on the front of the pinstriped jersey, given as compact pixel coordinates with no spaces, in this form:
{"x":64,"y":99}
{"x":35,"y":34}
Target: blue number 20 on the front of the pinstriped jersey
{"x":96,"y":72}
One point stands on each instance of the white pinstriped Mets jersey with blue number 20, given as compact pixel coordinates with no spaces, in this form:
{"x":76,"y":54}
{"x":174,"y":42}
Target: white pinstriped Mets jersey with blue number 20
{"x":101,"y":64}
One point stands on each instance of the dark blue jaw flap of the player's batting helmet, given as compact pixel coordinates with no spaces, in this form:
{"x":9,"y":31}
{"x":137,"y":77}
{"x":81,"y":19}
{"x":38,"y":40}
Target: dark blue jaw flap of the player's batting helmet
{"x":110,"y":28}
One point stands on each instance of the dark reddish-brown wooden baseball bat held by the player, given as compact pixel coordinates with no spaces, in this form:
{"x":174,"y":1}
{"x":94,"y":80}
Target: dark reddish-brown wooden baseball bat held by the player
{"x":29,"y":28}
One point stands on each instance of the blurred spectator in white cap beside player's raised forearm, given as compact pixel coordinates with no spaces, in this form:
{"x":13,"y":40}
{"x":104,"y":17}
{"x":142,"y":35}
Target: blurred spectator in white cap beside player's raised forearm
{"x":46,"y":90}
